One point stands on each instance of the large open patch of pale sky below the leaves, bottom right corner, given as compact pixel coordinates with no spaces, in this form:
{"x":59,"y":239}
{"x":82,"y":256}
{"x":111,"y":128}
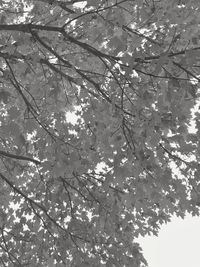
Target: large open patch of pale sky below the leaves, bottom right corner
{"x":177,"y":244}
